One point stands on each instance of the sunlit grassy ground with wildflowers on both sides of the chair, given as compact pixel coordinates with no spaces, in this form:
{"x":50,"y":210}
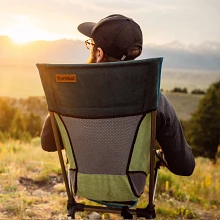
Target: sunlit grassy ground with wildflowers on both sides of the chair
{"x":31,"y":187}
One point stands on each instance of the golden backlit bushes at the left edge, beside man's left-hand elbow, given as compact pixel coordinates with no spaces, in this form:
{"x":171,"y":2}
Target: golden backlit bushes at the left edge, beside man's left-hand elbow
{"x":16,"y":124}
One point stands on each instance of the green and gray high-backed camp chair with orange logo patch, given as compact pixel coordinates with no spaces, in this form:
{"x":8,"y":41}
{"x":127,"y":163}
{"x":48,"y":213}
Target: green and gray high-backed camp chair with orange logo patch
{"x":104,"y":114}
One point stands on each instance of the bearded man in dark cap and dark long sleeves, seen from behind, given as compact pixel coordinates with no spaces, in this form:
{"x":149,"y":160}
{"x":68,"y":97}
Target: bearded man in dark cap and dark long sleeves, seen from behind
{"x":118,"y":38}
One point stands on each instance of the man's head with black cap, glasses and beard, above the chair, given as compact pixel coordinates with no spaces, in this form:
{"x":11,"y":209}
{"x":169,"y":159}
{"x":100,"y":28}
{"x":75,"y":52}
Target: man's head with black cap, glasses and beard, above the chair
{"x":113,"y":38}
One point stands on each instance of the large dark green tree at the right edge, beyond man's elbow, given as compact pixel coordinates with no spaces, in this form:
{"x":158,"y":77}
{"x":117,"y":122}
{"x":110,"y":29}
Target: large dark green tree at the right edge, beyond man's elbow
{"x":204,"y":131}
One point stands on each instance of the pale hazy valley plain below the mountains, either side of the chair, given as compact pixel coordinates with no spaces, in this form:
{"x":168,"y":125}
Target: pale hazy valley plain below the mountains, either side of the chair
{"x":22,"y":81}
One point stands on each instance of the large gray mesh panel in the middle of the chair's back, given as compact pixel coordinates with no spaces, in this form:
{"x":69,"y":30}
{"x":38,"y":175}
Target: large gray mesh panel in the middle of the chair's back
{"x":102,"y":146}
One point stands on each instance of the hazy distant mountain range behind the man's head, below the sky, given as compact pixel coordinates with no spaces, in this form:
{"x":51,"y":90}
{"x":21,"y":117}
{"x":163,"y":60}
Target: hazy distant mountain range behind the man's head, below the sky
{"x":205,"y":56}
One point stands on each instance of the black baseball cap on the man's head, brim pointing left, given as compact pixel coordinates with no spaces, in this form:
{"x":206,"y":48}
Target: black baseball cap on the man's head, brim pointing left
{"x":115,"y":34}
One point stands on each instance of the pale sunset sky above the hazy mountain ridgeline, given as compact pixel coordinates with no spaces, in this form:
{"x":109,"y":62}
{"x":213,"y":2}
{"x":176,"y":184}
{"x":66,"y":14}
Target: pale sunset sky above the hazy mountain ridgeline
{"x":162,"y":21}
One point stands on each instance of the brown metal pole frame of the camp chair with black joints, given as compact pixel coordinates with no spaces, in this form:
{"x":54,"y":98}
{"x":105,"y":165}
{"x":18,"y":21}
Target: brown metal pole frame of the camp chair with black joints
{"x":73,"y":206}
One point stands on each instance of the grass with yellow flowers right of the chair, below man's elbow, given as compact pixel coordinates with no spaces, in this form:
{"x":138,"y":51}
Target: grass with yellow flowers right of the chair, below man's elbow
{"x":179,"y":197}
